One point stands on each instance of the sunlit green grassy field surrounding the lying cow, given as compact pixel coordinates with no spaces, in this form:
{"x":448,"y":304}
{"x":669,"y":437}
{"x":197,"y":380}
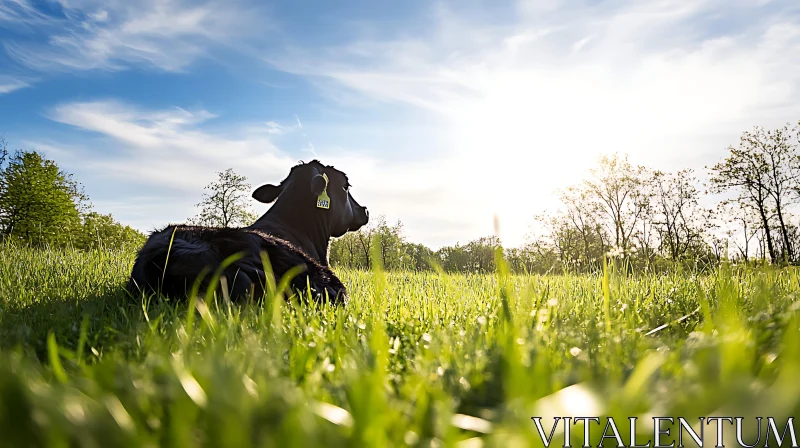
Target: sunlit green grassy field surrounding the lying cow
{"x":414,"y":359}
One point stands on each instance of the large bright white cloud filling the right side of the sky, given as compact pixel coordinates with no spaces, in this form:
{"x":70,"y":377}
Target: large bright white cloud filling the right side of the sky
{"x":669,"y":82}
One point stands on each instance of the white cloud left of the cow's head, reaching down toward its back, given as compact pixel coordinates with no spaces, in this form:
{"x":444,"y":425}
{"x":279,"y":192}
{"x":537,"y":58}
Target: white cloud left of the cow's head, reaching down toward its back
{"x":161,"y":150}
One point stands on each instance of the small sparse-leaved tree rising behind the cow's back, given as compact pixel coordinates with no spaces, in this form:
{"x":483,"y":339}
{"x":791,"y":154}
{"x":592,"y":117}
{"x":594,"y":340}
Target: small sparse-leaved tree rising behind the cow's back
{"x":225,"y":203}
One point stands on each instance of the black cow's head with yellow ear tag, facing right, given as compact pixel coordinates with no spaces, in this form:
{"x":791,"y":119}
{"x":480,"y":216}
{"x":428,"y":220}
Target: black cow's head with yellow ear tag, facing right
{"x":306,"y":189}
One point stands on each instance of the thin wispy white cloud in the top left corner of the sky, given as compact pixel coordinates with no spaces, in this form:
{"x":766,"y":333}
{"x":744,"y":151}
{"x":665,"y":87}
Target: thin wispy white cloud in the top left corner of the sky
{"x":162,"y":34}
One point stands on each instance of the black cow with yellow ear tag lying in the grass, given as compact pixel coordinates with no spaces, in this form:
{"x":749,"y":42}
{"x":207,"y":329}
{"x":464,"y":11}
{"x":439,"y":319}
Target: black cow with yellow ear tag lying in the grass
{"x":311,"y":205}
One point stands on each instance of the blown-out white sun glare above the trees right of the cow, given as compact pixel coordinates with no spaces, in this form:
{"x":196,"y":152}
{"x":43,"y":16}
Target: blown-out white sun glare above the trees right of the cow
{"x":527,"y":132}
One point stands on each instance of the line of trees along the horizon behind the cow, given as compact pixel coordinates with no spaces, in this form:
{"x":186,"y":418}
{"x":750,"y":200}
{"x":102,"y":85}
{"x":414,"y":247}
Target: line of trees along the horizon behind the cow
{"x":649,"y":218}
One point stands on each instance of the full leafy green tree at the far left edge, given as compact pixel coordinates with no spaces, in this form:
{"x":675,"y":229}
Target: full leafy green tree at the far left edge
{"x":39,"y":203}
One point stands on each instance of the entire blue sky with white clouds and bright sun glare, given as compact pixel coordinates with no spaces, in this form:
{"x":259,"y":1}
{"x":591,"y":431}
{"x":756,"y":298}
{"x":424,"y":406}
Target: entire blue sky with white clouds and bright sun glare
{"x":444,"y":114}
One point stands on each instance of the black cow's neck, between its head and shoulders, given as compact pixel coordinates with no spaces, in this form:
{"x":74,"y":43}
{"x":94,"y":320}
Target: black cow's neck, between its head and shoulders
{"x":310,"y":235}
